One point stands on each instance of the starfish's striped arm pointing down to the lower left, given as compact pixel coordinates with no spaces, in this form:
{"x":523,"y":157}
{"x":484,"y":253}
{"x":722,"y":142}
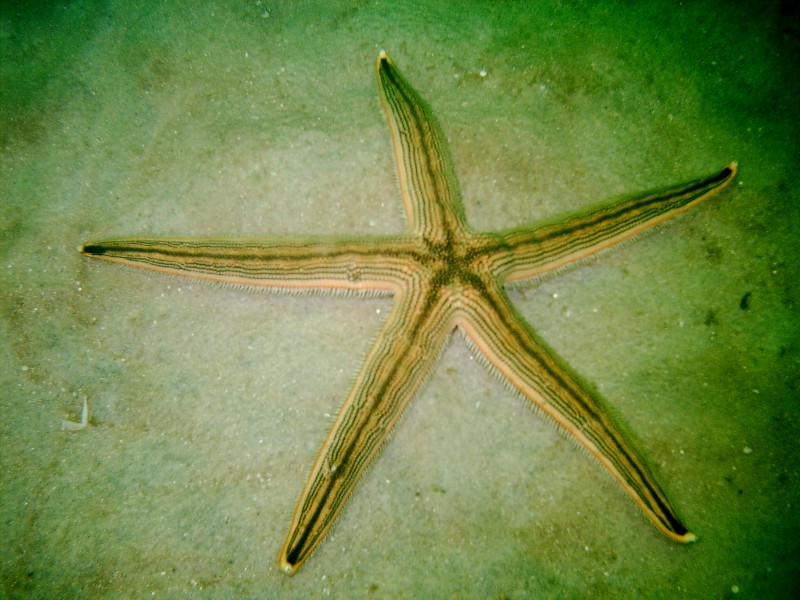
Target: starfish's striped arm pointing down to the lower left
{"x":396,"y":365}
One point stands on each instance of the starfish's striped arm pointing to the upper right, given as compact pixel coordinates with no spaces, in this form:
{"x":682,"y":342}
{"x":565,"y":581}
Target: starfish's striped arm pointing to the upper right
{"x":532,"y":252}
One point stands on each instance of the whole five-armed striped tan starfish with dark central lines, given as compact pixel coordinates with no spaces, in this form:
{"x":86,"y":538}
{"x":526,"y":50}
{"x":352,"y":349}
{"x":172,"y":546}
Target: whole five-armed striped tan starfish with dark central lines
{"x":443,"y":276}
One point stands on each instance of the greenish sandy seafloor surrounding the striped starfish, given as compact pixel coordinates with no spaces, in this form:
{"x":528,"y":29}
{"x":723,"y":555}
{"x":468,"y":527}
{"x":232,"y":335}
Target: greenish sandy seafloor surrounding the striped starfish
{"x":208,"y":404}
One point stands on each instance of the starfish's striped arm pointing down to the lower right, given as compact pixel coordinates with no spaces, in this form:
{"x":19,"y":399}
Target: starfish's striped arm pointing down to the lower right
{"x":502,"y":337}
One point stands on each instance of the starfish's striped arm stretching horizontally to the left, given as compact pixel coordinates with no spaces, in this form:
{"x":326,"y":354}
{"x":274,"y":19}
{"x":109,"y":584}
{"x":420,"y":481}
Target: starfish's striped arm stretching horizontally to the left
{"x":364,"y":265}
